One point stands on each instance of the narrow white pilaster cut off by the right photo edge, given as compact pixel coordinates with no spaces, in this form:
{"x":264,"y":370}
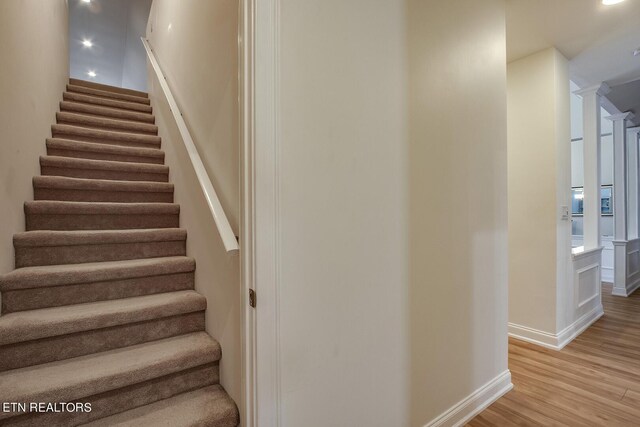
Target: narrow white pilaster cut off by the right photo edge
{"x":633,"y":187}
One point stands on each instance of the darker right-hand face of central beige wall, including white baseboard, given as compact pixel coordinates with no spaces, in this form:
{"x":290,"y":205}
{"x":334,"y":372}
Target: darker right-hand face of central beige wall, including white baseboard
{"x":458,"y":208}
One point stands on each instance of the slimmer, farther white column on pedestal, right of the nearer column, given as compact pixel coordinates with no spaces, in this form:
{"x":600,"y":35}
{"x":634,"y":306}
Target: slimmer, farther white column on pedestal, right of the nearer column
{"x":620,"y":202}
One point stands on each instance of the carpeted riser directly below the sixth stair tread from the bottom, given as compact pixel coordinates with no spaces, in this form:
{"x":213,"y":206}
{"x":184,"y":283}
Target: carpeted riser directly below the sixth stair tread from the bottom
{"x":100,"y":222}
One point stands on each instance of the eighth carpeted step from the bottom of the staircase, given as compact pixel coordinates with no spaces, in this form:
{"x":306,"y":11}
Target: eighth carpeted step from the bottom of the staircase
{"x":110,"y":169}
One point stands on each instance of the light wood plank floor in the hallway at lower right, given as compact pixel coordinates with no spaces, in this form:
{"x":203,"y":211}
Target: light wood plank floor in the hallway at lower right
{"x":594,"y":381}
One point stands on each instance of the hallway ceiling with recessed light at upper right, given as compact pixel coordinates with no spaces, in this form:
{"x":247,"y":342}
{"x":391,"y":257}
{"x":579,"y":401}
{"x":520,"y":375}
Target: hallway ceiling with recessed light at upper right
{"x":597,"y":40}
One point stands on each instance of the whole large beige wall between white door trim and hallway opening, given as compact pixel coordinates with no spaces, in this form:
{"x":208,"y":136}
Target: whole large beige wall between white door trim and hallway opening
{"x":393,"y":220}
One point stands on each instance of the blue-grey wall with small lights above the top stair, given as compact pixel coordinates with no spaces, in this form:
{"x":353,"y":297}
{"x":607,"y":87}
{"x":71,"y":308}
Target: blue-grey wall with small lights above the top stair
{"x":114,"y":27}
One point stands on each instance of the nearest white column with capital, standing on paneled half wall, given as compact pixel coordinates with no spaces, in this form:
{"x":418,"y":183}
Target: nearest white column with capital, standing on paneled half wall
{"x":591,"y":129}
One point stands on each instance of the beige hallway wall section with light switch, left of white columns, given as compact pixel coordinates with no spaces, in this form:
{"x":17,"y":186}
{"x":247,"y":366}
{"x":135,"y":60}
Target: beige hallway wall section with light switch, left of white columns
{"x":539,"y":184}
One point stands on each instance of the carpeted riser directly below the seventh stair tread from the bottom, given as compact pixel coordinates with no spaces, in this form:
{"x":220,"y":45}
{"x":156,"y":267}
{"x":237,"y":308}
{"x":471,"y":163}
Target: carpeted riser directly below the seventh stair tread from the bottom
{"x":70,"y":195}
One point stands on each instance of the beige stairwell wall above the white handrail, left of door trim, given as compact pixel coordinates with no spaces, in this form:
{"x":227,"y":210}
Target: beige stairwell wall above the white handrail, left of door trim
{"x":196,"y":43}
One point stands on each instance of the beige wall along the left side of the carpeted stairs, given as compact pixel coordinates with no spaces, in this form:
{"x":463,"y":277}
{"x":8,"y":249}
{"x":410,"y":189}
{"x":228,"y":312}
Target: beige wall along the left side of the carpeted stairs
{"x":34,"y":71}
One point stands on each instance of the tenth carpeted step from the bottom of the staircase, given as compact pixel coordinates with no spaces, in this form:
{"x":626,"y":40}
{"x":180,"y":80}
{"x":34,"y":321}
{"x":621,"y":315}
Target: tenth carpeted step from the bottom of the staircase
{"x":105,"y":136}
